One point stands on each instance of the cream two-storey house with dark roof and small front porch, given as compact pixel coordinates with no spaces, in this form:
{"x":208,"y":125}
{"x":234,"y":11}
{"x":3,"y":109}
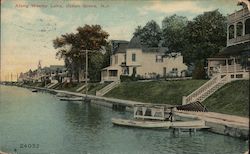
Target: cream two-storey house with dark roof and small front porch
{"x":132,"y":58}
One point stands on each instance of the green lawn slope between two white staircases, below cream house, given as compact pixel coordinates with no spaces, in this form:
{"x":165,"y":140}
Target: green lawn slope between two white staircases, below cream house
{"x":168,"y":92}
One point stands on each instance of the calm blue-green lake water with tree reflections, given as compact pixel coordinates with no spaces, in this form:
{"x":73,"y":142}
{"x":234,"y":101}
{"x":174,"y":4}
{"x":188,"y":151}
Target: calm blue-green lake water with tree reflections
{"x":59,"y":127}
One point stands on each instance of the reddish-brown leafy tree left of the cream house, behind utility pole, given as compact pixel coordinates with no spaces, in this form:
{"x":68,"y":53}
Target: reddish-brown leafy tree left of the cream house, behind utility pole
{"x":72,"y":48}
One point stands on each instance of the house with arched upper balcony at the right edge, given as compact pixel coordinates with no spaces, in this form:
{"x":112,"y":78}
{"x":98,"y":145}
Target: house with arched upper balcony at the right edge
{"x":235,"y":58}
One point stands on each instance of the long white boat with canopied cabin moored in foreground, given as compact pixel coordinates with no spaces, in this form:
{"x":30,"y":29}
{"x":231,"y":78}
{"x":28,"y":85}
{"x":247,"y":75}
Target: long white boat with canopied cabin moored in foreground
{"x":157,"y":116}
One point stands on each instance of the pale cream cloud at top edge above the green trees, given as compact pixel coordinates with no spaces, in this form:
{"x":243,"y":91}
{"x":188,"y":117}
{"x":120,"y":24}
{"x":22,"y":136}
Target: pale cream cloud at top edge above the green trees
{"x":173,"y":7}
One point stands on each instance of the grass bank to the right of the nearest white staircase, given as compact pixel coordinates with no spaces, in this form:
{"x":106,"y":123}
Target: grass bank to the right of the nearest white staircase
{"x":233,"y":98}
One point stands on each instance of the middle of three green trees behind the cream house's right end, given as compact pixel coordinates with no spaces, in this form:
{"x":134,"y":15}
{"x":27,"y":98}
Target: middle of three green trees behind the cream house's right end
{"x":173,"y":33}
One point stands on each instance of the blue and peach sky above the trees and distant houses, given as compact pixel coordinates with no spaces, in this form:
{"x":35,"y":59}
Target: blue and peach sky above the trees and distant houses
{"x":28,"y":27}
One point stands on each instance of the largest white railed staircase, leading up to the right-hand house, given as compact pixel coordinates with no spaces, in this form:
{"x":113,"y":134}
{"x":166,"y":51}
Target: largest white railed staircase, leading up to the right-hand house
{"x":207,"y":89}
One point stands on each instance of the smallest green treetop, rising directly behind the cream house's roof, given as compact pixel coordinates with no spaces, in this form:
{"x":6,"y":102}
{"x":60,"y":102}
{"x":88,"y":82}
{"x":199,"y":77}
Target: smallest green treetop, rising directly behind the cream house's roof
{"x":150,"y":34}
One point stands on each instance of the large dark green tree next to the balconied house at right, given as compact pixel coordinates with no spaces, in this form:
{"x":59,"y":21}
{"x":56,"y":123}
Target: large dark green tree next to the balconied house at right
{"x":206,"y":36}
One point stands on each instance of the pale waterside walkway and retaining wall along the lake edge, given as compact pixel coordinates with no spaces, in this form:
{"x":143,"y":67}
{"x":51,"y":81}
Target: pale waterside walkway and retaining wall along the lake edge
{"x":224,"y":124}
